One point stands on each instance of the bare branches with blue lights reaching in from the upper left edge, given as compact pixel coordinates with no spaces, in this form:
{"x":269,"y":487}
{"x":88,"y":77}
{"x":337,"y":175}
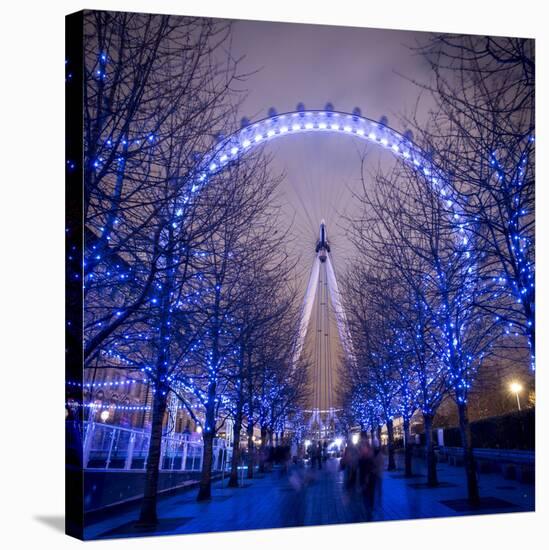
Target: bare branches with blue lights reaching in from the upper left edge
{"x":150,"y":82}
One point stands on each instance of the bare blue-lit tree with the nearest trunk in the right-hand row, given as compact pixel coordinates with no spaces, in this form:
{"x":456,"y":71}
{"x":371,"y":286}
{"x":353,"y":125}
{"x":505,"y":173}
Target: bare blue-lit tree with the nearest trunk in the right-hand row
{"x":413,"y":230}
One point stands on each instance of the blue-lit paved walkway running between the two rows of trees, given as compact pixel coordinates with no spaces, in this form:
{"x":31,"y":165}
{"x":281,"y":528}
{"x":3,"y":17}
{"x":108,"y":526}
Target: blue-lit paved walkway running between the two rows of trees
{"x":312,"y":497}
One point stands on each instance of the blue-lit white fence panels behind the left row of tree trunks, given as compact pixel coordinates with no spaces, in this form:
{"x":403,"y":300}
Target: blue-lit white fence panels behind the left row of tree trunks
{"x":107,"y":447}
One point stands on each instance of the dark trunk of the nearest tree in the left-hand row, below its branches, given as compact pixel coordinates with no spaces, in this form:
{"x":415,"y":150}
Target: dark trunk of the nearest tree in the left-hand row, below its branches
{"x":148,"y":514}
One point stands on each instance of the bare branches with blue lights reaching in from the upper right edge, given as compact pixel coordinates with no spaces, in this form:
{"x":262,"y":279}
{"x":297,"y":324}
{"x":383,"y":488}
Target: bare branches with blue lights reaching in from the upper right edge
{"x":482,"y":137}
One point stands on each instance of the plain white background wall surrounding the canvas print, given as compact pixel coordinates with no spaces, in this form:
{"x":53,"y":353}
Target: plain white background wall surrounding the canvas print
{"x":32,"y":270}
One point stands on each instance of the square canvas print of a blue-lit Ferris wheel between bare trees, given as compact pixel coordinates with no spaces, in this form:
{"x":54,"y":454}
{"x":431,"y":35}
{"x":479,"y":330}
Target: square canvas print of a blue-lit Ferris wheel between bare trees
{"x":216,"y":335}
